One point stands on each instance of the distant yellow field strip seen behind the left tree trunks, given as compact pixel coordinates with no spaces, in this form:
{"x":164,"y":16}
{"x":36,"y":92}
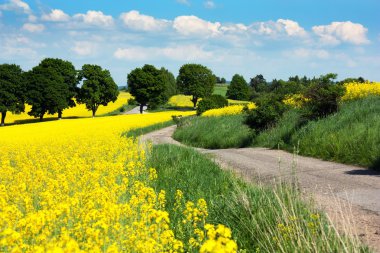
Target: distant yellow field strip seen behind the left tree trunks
{"x":78,"y":111}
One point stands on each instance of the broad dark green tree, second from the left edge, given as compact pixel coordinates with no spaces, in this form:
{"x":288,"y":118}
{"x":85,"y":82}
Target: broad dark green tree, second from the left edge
{"x":47,"y":91}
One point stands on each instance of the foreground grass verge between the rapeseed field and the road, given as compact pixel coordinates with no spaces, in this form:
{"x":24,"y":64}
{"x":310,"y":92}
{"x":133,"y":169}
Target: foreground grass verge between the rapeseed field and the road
{"x":261,"y":219}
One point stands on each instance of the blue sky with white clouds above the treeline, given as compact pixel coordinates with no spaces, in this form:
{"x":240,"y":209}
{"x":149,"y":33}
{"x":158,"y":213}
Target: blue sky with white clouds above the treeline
{"x":276,"y":38}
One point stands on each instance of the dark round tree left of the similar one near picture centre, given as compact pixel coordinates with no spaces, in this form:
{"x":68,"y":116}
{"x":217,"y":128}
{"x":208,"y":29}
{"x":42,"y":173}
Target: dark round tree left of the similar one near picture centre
{"x":149,"y":85}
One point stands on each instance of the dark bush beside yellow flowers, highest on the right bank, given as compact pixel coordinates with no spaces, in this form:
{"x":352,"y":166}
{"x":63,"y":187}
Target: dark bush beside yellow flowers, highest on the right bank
{"x":322,"y":97}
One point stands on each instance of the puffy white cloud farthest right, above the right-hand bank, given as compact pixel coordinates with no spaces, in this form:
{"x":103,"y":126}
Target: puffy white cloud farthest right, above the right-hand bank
{"x":338,"y":32}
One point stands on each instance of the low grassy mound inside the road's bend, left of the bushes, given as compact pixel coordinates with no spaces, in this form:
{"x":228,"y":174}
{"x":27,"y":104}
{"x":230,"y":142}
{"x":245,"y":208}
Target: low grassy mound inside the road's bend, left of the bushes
{"x":214,"y":132}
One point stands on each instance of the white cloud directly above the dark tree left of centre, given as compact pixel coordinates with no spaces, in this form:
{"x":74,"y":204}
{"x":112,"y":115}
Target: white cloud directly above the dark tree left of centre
{"x":136,"y":21}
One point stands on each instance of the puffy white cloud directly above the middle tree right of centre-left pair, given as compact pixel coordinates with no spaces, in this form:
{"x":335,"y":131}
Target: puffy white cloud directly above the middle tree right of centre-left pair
{"x":194,"y":26}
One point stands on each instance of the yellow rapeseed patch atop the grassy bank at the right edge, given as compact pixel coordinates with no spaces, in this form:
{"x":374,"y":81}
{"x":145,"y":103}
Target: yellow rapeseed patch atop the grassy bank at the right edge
{"x":361,"y":90}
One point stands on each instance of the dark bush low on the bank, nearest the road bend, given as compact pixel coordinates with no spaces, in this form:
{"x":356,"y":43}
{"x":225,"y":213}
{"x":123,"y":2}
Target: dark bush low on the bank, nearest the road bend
{"x":268,"y":112}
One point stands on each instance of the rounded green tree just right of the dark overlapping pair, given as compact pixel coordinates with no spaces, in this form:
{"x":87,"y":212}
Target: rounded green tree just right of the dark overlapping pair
{"x":98,"y":87}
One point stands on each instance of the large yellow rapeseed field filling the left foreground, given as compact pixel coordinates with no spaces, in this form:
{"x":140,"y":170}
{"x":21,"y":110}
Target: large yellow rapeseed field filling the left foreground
{"x":79,"y":186}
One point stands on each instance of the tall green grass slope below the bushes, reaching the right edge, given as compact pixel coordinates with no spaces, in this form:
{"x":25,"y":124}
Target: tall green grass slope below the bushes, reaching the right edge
{"x":350,"y":136}
